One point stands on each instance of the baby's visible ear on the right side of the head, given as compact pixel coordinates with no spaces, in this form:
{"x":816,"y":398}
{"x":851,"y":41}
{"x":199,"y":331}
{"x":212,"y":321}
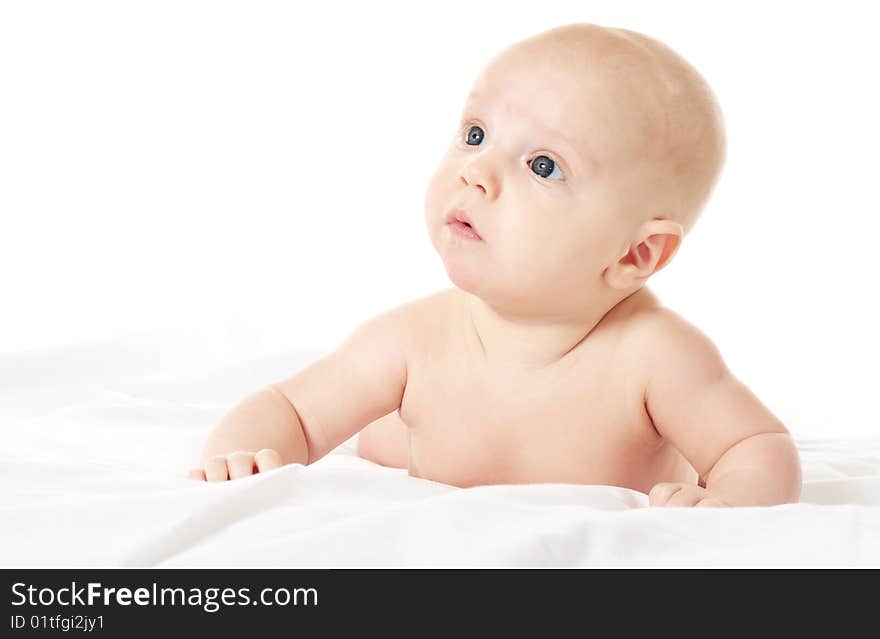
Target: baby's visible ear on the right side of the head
{"x":654,"y":245}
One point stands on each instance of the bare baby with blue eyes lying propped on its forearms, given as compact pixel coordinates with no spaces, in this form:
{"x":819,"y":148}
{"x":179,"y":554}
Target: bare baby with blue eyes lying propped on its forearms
{"x":584,"y":155}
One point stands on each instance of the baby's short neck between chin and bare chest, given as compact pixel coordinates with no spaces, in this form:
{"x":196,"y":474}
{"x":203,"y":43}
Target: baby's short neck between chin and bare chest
{"x":532,"y":342}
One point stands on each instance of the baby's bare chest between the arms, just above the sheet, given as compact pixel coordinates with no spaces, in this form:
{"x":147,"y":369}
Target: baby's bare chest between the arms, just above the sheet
{"x":580,"y":422}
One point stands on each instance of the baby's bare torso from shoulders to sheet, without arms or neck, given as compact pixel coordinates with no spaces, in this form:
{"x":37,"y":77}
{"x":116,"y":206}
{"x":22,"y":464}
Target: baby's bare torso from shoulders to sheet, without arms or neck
{"x":579,"y":420}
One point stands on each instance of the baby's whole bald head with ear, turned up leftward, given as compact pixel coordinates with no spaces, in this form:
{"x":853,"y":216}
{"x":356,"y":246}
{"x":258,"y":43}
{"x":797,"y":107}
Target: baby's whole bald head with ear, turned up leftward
{"x":584,"y":156}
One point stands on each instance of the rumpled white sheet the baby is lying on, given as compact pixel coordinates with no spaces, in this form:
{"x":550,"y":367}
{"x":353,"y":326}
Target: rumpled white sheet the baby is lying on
{"x":96,"y":440}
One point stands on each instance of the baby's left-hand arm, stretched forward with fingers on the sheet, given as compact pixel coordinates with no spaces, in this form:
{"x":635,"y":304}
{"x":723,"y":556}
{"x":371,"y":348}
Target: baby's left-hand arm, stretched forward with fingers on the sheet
{"x":302,"y":418}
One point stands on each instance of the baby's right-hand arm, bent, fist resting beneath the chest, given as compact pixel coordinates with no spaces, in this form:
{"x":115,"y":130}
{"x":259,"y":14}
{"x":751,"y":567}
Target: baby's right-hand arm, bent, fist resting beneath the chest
{"x":742,"y":452}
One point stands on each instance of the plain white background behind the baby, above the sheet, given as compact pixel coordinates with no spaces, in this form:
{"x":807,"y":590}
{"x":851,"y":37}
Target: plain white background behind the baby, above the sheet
{"x":262,"y":165}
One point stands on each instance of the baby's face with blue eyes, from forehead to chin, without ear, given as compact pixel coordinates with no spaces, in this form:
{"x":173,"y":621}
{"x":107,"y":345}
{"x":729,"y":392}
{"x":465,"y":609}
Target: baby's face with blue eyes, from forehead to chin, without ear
{"x":547,"y":163}
